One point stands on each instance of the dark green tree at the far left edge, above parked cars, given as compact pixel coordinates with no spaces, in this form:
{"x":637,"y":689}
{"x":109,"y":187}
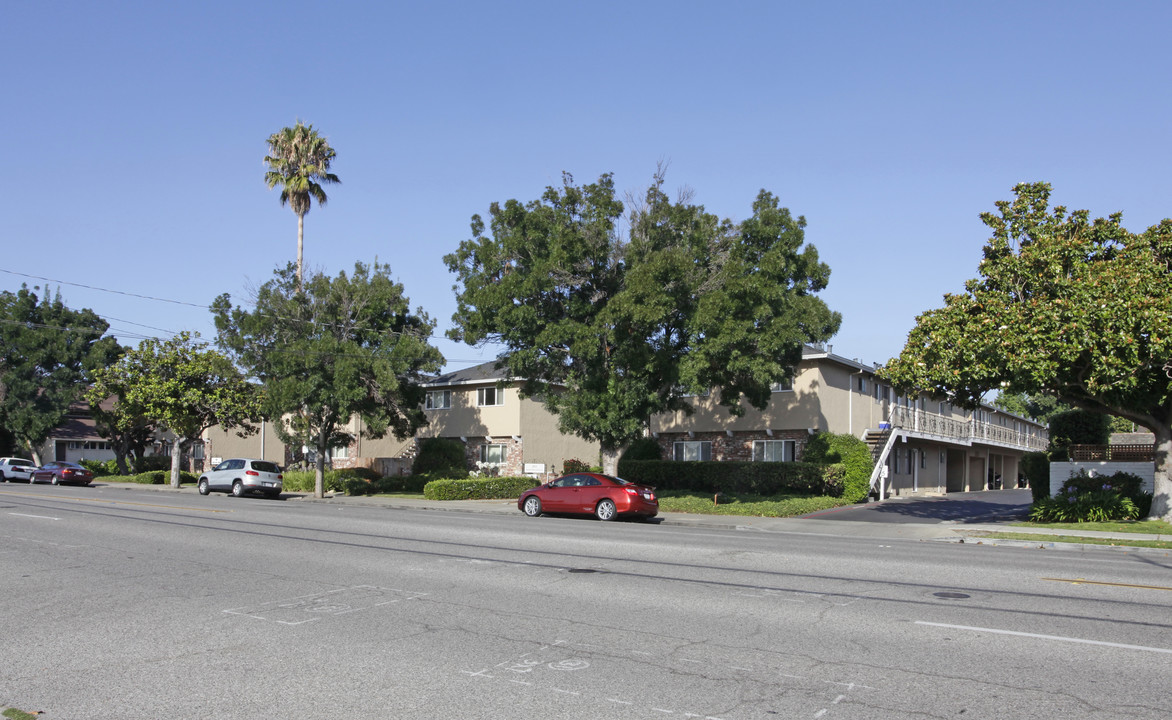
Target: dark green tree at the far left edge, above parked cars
{"x":47,"y":354}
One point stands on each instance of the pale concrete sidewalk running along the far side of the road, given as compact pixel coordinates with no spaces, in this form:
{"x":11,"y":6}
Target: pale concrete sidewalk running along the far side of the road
{"x":949,"y":531}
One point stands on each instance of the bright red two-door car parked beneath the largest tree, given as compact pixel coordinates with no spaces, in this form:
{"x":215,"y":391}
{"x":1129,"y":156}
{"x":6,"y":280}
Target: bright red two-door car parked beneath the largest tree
{"x":603,"y":497}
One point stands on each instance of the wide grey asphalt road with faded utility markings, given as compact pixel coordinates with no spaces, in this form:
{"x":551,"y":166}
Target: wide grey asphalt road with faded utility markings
{"x":138,"y":604}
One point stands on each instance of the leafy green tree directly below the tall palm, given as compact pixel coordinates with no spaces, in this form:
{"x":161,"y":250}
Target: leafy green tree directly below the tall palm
{"x":339,"y":348}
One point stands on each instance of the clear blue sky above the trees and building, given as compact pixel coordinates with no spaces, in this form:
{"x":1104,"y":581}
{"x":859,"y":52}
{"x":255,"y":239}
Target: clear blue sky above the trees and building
{"x":135,"y":135}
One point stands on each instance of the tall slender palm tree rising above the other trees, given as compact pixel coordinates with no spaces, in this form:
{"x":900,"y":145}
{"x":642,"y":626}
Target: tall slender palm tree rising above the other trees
{"x":299,"y":162}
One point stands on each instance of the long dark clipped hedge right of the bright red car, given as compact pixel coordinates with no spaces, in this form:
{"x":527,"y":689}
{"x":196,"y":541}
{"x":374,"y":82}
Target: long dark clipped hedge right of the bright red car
{"x":745,"y":478}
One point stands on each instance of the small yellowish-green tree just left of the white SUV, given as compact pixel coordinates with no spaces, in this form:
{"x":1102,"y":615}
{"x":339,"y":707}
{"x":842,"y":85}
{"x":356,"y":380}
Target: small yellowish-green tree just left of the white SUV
{"x":187,"y":388}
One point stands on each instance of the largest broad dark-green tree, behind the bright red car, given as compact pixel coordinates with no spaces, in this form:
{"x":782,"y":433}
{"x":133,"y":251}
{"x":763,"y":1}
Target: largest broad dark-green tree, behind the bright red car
{"x":608,"y":331}
